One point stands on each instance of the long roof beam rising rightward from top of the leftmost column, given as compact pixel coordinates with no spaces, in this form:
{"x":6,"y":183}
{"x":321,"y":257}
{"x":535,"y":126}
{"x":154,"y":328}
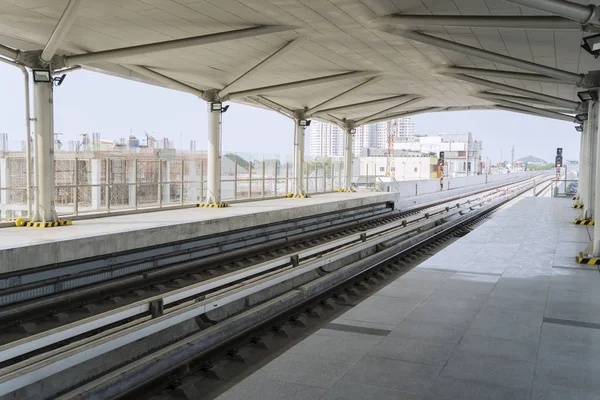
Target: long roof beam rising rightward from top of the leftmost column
{"x":110,"y":55}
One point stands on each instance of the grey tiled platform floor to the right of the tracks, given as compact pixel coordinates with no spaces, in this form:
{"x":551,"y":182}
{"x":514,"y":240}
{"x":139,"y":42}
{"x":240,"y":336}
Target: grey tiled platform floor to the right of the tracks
{"x":502,"y":313}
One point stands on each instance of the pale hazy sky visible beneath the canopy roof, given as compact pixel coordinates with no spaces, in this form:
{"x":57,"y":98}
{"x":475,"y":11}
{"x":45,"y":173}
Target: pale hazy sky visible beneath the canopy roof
{"x":91,"y":102}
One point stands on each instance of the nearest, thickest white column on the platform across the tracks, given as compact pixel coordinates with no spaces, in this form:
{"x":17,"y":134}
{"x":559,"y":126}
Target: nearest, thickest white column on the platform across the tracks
{"x":44,"y":152}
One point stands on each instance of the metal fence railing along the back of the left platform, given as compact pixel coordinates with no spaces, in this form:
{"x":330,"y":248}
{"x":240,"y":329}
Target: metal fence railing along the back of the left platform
{"x":108,"y":184}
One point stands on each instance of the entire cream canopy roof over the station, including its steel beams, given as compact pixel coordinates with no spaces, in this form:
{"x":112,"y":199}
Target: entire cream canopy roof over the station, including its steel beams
{"x":345,"y":61}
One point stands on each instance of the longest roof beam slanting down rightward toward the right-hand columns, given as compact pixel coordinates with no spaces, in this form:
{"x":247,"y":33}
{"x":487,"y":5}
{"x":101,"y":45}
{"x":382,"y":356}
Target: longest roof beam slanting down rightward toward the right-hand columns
{"x":485,"y":54}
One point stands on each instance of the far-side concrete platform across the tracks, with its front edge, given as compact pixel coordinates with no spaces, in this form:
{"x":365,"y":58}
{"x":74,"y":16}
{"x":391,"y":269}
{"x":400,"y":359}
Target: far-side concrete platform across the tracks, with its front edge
{"x":22,"y":248}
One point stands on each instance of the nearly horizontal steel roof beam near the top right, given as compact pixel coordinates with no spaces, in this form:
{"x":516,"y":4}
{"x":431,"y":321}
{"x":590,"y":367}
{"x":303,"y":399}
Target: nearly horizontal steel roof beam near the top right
{"x":481,"y":21}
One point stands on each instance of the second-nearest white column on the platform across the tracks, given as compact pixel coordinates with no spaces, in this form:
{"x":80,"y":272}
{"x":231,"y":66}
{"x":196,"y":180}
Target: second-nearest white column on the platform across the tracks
{"x":213,"y":176}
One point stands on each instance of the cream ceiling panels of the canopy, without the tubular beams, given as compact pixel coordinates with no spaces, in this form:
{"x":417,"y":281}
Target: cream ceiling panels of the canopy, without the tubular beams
{"x":340,"y":37}
